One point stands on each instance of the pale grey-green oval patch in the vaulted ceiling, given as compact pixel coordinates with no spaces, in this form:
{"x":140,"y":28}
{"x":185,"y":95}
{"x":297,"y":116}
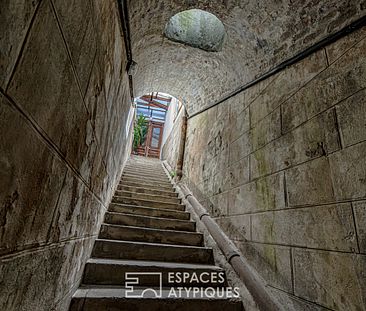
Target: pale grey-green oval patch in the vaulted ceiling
{"x":196,"y":28}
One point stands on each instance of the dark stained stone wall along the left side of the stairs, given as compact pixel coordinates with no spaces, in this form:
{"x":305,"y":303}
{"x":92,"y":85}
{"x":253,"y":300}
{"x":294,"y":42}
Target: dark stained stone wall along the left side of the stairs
{"x":64,"y":101}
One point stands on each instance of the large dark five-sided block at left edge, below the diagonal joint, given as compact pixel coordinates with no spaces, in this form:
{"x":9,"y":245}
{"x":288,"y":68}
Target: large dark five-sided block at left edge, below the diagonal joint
{"x":28,"y":195}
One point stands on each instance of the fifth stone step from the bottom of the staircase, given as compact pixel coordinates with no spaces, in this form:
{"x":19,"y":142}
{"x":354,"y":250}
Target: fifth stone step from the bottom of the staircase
{"x":149,"y":222}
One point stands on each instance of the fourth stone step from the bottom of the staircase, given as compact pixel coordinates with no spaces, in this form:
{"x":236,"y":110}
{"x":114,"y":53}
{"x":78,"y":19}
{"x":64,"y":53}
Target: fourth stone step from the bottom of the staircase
{"x":151,"y":235}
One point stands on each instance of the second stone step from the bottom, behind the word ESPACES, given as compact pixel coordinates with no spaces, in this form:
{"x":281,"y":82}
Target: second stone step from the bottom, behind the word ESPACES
{"x":113,"y":272}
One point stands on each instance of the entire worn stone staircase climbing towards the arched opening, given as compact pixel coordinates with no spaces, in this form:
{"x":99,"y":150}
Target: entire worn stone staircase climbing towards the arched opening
{"x":147,"y":231}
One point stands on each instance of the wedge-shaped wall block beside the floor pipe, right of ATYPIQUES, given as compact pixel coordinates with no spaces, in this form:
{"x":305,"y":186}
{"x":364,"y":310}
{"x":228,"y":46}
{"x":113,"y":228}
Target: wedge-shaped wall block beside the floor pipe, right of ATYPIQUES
{"x":272,"y":262}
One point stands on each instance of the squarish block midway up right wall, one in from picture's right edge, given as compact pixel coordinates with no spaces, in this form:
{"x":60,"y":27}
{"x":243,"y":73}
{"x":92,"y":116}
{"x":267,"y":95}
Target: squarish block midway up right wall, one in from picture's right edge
{"x":310,"y":183}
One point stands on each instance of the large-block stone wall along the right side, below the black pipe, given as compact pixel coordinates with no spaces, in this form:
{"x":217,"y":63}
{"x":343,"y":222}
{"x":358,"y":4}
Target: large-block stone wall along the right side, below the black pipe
{"x":282,"y":167}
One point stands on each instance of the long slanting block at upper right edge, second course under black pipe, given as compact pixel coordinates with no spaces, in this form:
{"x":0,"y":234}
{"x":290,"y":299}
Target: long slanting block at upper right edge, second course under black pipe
{"x":343,"y":78}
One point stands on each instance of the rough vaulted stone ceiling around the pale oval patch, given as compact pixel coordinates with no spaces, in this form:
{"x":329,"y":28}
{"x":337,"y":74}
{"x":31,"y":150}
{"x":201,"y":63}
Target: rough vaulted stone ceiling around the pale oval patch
{"x":260,"y":35}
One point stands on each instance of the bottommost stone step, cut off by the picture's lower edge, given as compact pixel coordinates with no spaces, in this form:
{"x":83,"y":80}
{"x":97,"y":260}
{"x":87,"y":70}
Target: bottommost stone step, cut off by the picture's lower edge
{"x":112,"y":298}
